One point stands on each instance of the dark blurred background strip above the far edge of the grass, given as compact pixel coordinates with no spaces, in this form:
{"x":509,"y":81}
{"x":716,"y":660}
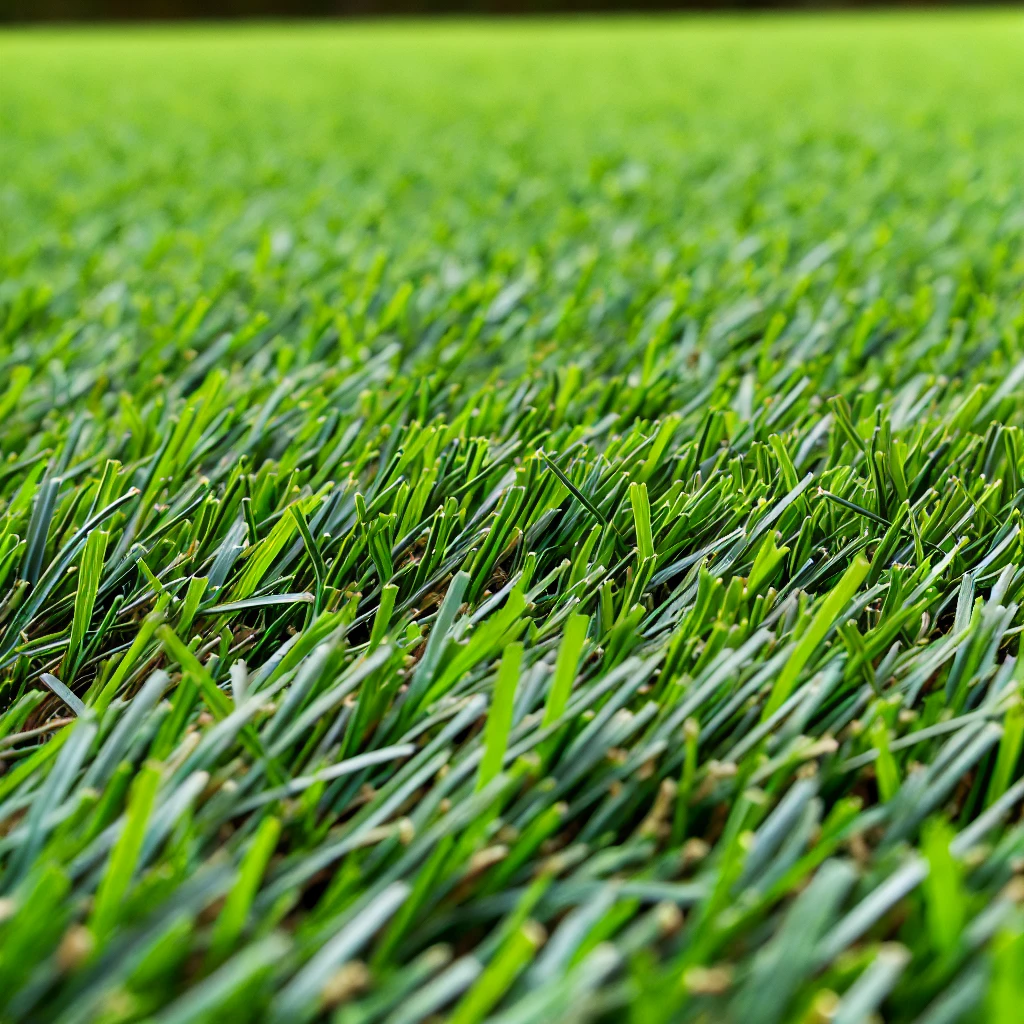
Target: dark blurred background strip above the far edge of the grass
{"x":130,"y":11}
